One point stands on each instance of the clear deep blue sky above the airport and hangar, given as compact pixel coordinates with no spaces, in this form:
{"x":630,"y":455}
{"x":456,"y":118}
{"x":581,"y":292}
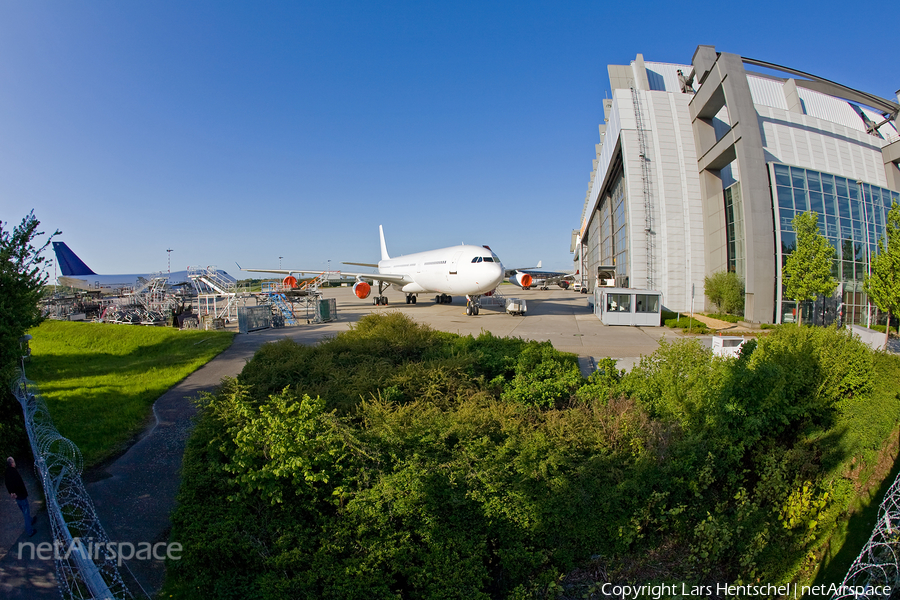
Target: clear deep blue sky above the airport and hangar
{"x":244,"y":131}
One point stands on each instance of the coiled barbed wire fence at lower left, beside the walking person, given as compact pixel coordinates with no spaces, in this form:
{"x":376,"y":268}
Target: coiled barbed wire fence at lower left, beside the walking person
{"x":85,"y":559}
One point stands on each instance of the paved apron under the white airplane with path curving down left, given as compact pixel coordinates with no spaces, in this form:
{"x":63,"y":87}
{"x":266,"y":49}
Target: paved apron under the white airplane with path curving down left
{"x":135,"y":494}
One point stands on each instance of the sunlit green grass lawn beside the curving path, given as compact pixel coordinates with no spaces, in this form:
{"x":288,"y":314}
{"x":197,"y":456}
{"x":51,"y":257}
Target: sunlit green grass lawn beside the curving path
{"x":100,"y":380}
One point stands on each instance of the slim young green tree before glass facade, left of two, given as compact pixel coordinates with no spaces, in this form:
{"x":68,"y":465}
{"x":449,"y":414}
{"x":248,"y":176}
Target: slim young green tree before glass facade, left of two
{"x":807,"y":271}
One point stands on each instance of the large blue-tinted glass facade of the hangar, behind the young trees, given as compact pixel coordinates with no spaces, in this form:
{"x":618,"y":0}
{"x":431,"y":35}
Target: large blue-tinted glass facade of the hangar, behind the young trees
{"x":852,"y":215}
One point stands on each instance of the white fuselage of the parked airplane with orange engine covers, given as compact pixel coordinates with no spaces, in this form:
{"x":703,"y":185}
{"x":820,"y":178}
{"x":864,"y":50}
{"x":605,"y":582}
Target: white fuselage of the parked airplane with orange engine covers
{"x":447,"y":271}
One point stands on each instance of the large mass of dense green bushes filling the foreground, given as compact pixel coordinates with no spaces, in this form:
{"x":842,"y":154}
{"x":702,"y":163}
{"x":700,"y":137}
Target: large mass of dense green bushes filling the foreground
{"x":395,"y":461}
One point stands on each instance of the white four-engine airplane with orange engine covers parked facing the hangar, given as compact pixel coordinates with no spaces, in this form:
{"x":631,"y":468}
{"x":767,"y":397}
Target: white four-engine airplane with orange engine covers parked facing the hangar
{"x":470,"y":271}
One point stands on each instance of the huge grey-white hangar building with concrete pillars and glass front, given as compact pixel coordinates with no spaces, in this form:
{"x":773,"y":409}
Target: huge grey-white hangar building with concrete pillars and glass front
{"x":702,"y":167}
